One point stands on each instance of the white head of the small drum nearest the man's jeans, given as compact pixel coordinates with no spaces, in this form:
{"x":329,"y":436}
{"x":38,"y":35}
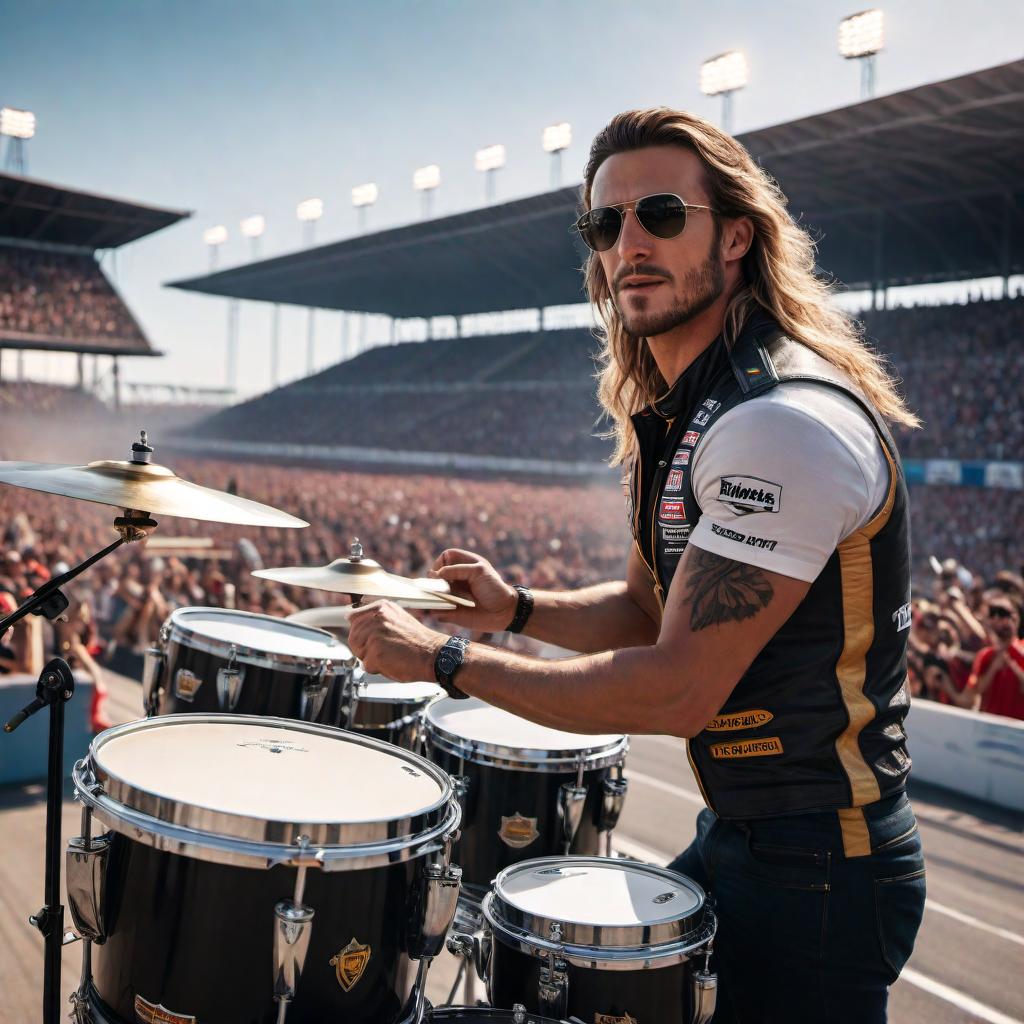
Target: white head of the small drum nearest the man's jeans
{"x":613,"y":894}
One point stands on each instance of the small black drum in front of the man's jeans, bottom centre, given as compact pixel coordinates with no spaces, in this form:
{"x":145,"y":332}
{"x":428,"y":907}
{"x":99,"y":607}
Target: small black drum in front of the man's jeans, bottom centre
{"x":601,"y":941}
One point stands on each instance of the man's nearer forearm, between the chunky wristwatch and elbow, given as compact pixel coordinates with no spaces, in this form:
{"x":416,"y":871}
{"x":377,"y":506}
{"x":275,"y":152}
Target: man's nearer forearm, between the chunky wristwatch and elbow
{"x":631,"y":691}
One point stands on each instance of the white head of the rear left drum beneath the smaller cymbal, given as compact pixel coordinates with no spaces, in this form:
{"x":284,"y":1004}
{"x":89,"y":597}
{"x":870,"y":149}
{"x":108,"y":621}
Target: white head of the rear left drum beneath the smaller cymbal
{"x":263,"y":633}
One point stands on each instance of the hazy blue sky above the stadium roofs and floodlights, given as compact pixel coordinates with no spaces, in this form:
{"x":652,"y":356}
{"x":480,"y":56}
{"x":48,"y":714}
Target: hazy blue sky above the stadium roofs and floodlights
{"x":229,"y":108}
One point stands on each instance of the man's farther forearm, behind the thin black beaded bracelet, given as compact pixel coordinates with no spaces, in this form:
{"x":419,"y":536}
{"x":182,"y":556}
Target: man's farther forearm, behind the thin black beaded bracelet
{"x":601,"y":618}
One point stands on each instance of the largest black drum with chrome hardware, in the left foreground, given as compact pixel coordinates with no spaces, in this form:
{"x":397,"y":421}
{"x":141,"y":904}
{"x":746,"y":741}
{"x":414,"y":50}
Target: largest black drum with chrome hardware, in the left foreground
{"x":253,"y":865}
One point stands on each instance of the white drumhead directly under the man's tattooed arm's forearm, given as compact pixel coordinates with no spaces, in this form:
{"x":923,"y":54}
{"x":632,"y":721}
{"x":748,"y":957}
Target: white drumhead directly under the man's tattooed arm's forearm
{"x":475,"y":720}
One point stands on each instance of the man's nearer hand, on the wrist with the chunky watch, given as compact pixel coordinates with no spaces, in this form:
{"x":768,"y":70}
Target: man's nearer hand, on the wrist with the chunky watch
{"x":391,"y":643}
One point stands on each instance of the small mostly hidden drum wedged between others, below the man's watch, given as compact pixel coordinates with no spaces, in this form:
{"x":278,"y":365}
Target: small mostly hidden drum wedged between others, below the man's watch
{"x":381,"y":708}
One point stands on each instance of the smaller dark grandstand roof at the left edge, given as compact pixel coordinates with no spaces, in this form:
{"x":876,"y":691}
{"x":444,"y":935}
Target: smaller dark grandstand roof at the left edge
{"x":37,"y":211}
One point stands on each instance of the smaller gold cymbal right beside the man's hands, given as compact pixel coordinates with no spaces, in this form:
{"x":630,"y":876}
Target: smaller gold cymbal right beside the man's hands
{"x":364,"y":578}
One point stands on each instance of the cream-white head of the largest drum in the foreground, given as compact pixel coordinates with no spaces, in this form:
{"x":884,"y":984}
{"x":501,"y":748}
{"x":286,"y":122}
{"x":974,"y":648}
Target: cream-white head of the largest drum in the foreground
{"x":267,"y":770}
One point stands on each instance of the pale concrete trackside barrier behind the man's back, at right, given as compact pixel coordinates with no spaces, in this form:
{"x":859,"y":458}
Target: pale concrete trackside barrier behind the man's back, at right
{"x":977,"y":755}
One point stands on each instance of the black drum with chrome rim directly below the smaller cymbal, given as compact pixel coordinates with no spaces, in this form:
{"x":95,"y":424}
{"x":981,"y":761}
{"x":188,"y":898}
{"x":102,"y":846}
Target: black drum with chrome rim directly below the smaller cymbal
{"x":218,"y":660}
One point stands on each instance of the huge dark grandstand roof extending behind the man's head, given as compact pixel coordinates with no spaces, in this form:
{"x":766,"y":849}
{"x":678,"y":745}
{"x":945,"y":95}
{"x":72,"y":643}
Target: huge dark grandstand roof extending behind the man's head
{"x":921,"y":186}
